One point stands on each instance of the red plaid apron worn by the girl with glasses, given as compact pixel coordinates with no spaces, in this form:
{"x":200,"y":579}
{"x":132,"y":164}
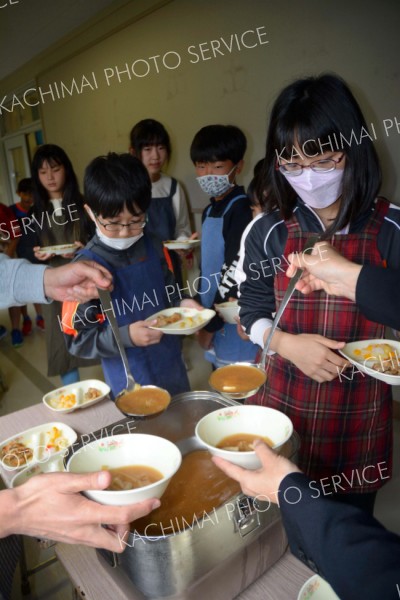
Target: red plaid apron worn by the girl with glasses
{"x":345,"y":425}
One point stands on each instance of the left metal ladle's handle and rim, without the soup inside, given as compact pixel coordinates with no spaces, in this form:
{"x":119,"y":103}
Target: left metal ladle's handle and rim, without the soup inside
{"x":131,"y":385}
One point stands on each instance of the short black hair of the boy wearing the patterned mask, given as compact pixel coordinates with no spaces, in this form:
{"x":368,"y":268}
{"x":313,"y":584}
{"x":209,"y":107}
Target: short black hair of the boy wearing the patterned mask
{"x":218,"y":142}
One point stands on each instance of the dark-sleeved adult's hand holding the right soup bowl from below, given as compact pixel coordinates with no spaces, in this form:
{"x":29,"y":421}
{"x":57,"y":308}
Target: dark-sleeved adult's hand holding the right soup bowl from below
{"x":264,"y":481}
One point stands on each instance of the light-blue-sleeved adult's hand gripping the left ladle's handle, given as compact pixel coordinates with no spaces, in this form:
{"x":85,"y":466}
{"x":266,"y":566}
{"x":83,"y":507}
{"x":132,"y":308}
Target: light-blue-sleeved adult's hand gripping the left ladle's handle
{"x":76,"y":281}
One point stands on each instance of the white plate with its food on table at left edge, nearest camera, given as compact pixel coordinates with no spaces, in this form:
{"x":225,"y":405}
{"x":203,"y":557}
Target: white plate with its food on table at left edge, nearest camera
{"x":35,"y":445}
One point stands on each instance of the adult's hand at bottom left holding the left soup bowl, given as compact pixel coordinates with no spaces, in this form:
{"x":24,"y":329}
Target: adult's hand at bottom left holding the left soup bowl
{"x":50,"y":506}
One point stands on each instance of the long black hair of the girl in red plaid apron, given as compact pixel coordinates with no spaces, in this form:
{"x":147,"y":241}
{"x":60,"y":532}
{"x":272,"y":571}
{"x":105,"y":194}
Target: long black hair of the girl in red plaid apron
{"x":311,"y":116}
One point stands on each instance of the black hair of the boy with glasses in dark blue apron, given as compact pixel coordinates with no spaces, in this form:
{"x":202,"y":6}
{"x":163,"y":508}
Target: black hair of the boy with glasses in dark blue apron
{"x":114,"y":182}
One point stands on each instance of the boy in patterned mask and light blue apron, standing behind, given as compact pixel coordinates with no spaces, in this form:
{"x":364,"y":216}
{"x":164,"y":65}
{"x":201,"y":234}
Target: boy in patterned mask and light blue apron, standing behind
{"x":217,"y":153}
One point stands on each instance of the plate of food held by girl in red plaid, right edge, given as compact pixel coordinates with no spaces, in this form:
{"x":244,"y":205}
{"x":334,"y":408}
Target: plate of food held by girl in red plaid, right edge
{"x":378,"y":358}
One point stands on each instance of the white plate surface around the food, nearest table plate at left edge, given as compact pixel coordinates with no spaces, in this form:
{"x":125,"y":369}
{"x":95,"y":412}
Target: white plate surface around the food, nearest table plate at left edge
{"x":37,"y":438}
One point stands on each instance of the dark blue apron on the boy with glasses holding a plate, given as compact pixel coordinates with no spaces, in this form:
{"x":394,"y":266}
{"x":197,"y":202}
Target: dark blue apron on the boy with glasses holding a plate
{"x":139,"y":292}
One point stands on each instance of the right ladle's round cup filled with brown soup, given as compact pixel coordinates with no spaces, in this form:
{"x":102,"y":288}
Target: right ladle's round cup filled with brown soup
{"x":237,"y":381}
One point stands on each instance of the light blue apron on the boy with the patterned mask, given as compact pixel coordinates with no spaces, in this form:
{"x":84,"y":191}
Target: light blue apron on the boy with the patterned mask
{"x":228,"y":347}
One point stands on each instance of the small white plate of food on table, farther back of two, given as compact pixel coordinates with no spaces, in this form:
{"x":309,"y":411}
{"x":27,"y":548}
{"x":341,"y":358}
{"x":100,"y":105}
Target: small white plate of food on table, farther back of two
{"x":76,"y":395}
